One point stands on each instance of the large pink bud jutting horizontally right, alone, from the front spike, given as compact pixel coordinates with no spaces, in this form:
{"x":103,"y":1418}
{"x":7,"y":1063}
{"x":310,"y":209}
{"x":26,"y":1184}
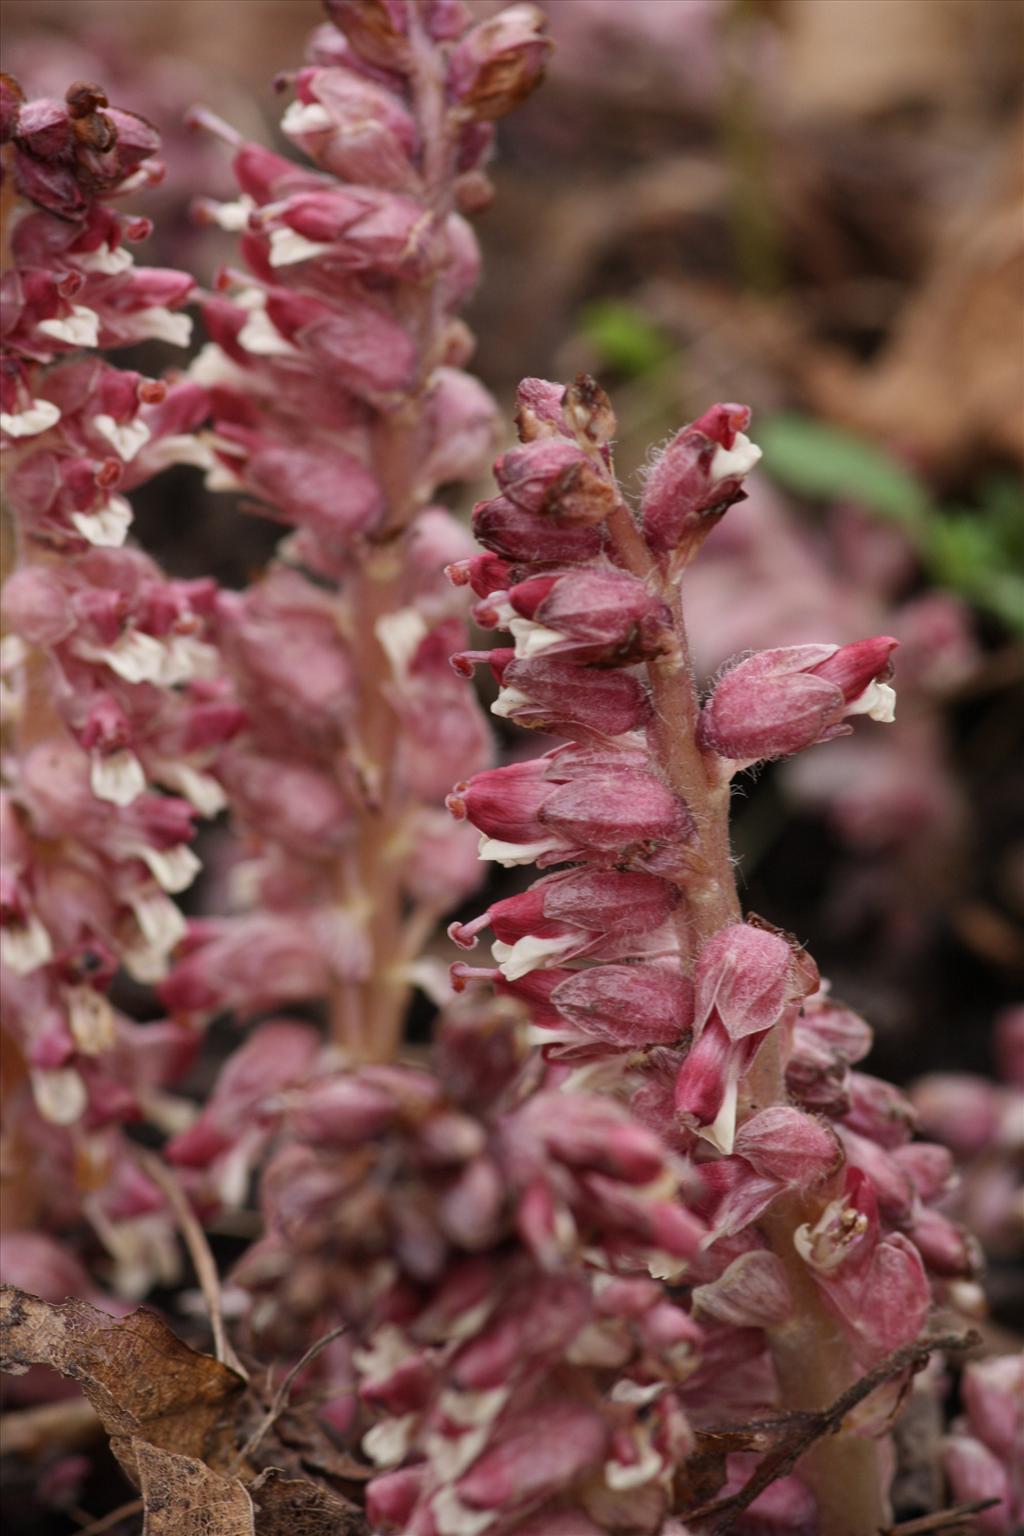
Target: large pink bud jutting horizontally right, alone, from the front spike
{"x":782,"y":701}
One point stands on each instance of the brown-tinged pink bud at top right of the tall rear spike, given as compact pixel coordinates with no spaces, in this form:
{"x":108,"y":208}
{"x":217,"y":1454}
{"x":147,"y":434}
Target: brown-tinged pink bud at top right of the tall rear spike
{"x":500,"y":62}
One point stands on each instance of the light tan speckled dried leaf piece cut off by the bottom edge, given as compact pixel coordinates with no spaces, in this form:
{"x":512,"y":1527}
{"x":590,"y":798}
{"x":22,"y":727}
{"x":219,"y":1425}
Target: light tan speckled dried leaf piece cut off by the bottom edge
{"x":183,"y":1497}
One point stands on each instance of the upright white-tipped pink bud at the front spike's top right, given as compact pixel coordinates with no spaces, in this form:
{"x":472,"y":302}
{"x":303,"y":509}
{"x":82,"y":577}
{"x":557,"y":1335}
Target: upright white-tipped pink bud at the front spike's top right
{"x":698,"y":480}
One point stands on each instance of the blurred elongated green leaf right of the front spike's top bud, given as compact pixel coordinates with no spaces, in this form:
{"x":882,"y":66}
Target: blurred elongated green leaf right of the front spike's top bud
{"x":830,"y":465}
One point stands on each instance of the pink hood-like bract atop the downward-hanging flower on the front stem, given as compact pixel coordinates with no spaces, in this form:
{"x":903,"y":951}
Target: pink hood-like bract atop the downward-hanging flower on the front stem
{"x":744,"y":978}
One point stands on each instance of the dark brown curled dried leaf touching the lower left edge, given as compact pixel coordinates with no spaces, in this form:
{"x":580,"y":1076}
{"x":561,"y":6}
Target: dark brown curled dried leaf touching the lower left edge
{"x":137,"y":1375}
